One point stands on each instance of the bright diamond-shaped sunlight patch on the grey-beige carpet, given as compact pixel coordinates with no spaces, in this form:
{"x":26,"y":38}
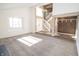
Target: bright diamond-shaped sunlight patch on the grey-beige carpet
{"x":29,"y":40}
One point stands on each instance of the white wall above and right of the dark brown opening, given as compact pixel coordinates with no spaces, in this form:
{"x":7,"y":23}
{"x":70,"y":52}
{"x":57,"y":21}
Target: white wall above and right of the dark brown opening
{"x":62,"y":8}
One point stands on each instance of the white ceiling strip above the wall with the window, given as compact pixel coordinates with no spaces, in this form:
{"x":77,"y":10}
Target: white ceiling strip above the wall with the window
{"x":11,"y":5}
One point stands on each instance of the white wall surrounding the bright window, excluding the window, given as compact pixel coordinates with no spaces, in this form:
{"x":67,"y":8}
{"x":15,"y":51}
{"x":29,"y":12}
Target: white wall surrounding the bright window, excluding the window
{"x":25,"y":12}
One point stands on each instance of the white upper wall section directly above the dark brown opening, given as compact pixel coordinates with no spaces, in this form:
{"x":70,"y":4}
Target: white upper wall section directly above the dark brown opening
{"x":61,"y":8}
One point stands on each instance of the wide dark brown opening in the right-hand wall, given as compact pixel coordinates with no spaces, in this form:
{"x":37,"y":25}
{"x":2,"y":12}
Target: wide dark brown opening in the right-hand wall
{"x":67,"y":26}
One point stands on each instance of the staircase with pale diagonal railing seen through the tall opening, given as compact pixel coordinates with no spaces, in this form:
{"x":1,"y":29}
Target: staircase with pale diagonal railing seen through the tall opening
{"x":47,"y":24}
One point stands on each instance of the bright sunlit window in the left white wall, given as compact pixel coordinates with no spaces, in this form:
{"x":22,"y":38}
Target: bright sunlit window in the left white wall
{"x":15,"y":22}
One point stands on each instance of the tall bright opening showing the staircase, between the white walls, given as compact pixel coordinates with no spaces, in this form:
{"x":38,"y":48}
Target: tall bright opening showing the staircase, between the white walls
{"x":44,"y":19}
